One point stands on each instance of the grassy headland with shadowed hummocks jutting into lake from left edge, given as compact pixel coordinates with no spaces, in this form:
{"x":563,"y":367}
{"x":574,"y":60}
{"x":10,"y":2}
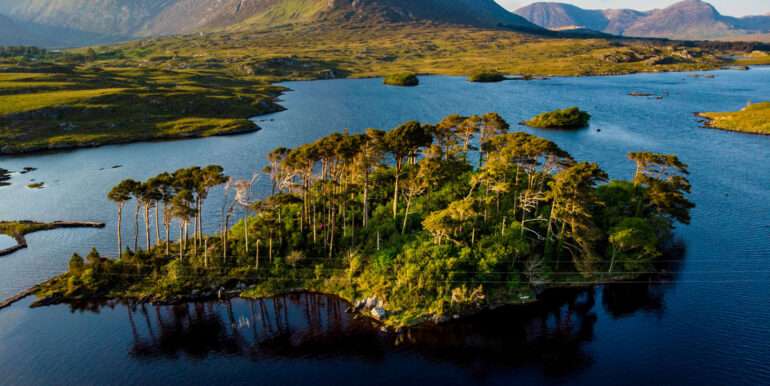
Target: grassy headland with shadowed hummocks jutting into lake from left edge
{"x":93,"y":106}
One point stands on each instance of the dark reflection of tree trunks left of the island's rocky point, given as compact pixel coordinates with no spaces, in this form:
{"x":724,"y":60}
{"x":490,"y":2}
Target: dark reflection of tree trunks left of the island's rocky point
{"x":293,"y":326}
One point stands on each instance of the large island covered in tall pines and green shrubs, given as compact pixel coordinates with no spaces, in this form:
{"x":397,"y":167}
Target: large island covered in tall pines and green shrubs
{"x":400,"y":223}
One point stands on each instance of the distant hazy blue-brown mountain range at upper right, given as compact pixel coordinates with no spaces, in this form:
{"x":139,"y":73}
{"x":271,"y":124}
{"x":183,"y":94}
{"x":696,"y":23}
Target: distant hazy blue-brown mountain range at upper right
{"x":689,"y":19}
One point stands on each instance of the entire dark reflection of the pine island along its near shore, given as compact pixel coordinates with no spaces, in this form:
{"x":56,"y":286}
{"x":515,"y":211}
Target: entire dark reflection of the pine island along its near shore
{"x":549,"y":335}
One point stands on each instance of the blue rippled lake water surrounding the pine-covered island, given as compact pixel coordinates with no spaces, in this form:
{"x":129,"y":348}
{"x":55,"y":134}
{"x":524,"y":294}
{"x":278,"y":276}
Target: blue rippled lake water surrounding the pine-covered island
{"x":710,"y":325}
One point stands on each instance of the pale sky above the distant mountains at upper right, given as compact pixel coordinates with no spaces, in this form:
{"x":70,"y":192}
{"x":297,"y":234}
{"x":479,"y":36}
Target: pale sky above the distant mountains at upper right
{"x":725,"y":7}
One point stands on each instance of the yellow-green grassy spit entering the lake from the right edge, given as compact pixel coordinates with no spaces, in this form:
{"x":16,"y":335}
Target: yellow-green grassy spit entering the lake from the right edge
{"x":754,"y":119}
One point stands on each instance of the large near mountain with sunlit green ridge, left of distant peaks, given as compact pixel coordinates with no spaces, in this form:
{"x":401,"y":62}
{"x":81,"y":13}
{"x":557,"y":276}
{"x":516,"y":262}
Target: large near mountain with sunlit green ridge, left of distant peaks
{"x":113,"y":20}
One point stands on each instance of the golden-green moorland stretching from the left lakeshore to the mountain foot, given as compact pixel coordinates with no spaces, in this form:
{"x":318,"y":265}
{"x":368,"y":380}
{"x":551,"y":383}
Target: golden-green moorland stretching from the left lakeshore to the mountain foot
{"x":186,"y":86}
